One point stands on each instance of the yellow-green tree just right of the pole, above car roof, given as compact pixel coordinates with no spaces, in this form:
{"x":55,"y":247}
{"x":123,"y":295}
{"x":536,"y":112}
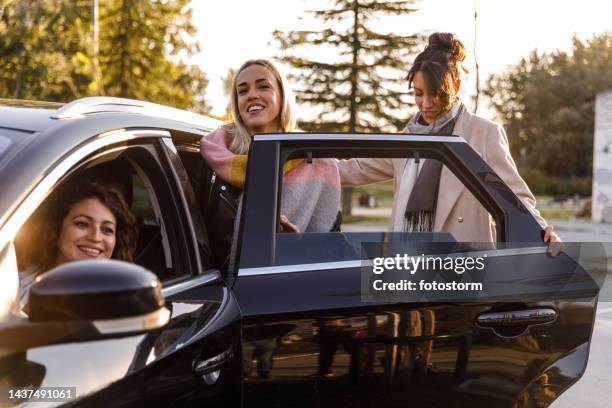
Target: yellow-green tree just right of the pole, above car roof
{"x":141,"y":41}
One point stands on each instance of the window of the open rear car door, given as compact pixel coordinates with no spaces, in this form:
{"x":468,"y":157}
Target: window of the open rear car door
{"x":312,"y":204}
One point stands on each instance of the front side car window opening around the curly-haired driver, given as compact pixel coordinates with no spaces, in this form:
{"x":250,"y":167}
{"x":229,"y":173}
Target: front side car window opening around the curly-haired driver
{"x":135,"y":173}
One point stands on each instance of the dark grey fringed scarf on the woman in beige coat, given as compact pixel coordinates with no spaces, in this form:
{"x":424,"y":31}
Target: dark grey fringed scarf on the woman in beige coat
{"x":419,"y":215}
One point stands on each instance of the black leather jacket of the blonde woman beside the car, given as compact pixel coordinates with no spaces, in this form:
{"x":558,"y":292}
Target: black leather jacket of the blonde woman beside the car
{"x":218,"y":202}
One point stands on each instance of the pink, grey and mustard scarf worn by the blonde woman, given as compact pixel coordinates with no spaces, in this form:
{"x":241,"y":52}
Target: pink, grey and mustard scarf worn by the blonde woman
{"x":311,"y":191}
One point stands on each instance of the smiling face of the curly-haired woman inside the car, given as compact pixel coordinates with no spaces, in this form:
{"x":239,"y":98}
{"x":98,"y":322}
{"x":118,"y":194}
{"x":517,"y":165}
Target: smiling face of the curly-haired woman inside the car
{"x":88,"y":232}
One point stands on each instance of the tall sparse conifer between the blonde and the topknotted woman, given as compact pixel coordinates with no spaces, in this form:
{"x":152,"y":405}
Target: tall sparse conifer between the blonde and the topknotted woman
{"x":364,"y":89}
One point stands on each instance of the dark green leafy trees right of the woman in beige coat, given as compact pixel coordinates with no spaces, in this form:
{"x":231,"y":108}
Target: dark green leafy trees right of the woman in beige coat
{"x":546,"y":104}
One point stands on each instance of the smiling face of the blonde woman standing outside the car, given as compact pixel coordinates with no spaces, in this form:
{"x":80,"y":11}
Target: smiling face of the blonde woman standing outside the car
{"x":259,"y":99}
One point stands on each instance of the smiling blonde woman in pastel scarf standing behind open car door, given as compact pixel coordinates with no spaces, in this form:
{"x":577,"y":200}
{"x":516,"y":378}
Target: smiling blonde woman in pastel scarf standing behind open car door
{"x":261,"y":103}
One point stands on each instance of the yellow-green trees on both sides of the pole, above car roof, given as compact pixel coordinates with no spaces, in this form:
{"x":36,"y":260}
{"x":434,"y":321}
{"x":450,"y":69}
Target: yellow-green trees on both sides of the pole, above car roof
{"x":46,"y":51}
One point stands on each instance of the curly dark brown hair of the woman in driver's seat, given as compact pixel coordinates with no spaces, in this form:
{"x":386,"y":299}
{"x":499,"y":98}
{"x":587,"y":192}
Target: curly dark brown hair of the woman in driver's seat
{"x":46,"y":223}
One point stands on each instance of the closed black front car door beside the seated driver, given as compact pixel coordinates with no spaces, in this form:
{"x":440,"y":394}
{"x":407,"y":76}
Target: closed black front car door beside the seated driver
{"x":195,"y":359}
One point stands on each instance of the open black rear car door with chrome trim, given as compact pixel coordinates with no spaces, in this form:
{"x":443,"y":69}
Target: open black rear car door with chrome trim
{"x":314,"y":335}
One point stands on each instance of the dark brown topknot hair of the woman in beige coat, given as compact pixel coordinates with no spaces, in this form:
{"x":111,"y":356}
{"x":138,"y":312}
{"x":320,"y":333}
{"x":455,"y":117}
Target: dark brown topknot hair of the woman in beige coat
{"x":441,"y":65}
